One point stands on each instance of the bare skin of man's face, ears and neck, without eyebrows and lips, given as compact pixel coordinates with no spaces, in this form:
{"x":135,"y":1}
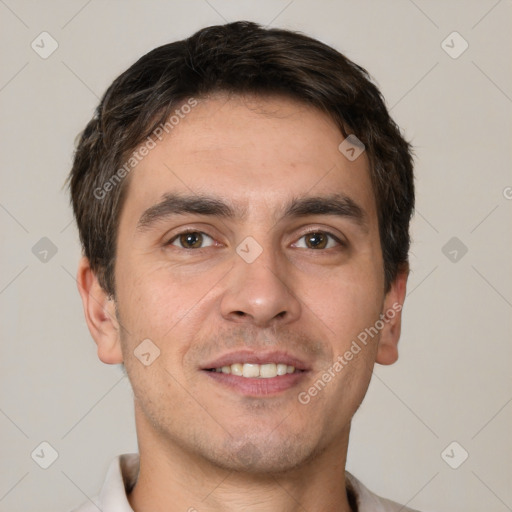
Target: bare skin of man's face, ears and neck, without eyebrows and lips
{"x":202,"y":444}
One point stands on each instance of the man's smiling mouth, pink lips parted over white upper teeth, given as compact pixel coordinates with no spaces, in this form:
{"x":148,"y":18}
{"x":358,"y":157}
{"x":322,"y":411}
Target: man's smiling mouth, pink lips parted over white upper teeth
{"x":257,"y":374}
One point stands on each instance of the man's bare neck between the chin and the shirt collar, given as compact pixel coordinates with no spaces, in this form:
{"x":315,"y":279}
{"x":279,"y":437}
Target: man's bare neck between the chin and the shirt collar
{"x":172,"y":479}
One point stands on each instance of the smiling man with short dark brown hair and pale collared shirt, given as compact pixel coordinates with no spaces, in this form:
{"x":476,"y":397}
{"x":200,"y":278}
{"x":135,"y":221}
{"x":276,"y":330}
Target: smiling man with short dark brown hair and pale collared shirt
{"x":243,"y":201}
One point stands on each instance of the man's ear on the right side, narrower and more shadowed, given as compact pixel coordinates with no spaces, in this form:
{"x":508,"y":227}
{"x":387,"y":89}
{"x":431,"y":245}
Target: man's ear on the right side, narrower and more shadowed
{"x":387,"y":352}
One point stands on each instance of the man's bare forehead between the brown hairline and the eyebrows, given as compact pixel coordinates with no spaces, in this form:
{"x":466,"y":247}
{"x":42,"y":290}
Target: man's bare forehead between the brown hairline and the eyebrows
{"x":253,"y":152}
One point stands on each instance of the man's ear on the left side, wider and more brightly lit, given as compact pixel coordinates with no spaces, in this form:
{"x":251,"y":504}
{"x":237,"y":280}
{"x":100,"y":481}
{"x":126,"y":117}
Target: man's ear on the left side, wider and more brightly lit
{"x":100,"y":314}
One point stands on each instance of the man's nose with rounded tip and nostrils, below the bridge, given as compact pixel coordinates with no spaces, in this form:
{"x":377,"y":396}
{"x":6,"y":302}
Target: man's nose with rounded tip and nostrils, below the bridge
{"x":259,"y":293}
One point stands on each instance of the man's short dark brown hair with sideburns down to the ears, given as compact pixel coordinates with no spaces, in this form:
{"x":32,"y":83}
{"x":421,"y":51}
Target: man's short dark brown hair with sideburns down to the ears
{"x":240,"y":58}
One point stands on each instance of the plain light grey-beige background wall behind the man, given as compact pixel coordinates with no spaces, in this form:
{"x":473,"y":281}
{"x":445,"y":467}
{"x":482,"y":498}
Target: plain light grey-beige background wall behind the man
{"x":453,"y":379}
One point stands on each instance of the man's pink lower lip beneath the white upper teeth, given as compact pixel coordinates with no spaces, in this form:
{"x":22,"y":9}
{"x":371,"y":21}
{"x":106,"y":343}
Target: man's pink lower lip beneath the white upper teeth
{"x":258,"y":387}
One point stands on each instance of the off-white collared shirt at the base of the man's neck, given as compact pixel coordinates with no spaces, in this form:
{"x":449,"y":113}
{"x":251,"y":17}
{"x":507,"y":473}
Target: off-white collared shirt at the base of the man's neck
{"x":123,"y":471}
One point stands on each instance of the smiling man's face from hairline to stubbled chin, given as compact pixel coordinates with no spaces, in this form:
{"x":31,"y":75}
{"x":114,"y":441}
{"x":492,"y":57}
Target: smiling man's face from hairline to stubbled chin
{"x":249,"y":254}
